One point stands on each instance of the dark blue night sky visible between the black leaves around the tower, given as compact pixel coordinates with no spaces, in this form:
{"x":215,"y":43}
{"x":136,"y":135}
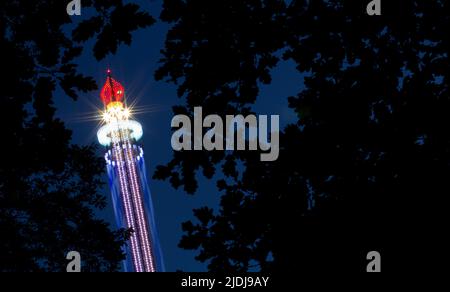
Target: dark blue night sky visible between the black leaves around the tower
{"x":134,"y":67}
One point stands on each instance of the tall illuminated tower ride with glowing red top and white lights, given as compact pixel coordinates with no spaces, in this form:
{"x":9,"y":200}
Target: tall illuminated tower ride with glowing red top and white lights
{"x":127,"y":179}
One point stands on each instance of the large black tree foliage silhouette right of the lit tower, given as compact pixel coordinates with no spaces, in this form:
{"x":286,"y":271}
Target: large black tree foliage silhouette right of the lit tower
{"x":365,"y":167}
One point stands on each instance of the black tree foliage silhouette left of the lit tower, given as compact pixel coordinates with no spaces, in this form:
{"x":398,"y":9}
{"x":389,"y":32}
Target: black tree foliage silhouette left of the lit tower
{"x":49,"y":187}
